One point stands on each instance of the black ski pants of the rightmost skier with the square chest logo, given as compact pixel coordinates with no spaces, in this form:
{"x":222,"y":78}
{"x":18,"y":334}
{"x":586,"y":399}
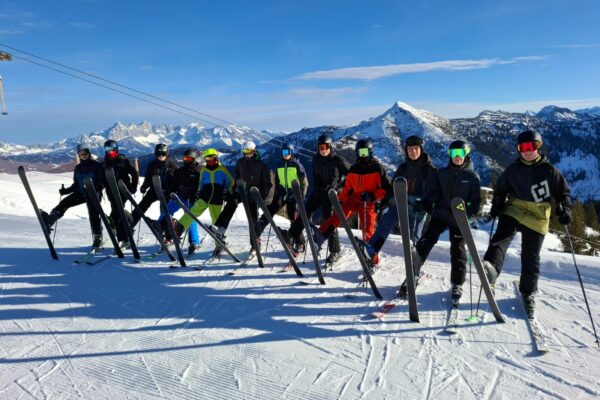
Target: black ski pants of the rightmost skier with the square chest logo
{"x":531,"y":245}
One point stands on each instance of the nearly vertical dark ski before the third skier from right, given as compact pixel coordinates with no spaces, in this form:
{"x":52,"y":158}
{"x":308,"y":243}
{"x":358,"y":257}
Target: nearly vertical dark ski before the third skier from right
{"x":401,"y":198}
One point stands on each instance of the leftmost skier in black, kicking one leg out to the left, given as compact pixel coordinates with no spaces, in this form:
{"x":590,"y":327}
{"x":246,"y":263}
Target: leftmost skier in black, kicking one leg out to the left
{"x":88,"y":167}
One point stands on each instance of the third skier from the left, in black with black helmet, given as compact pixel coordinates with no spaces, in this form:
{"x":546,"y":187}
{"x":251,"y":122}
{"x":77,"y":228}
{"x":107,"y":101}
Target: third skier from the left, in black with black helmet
{"x":165,"y":167}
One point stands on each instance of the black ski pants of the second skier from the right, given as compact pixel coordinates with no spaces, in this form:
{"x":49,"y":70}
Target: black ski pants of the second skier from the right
{"x":458,"y":252}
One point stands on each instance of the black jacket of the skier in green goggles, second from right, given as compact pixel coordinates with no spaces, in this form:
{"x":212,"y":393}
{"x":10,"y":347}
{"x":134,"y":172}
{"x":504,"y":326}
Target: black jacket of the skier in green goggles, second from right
{"x":454,"y":181}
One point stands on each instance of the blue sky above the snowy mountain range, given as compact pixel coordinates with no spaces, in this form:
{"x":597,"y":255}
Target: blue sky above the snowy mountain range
{"x":284,"y":65}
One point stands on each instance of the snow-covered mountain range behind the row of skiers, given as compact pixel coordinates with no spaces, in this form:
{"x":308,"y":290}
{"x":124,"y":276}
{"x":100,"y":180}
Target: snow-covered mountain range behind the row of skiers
{"x":572,"y":140}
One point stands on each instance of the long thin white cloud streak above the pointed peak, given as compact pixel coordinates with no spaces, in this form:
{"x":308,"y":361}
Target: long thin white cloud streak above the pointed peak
{"x":378,"y":72}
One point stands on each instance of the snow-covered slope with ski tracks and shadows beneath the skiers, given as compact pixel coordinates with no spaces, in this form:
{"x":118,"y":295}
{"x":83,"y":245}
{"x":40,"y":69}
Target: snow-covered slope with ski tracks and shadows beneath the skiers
{"x":126,"y":330}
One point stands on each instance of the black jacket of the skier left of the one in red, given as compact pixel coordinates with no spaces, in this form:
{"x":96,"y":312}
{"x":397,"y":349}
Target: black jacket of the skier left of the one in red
{"x":328,"y":172}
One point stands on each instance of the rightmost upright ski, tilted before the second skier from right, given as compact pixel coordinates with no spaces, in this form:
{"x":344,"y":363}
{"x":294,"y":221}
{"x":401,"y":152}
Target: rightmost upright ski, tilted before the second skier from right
{"x":460,"y":215}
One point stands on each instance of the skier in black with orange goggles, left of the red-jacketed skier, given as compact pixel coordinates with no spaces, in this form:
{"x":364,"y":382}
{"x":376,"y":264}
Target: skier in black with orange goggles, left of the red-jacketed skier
{"x":329,"y":171}
